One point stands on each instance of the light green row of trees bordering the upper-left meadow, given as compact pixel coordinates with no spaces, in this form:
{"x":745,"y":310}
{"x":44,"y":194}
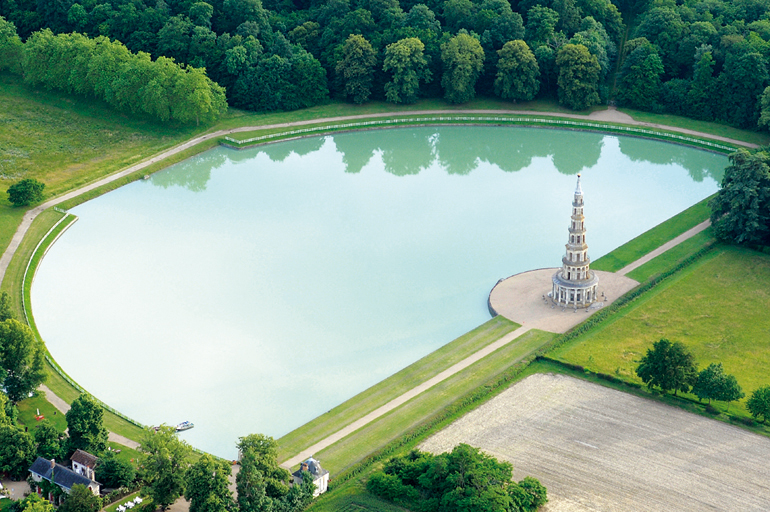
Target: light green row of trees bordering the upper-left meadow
{"x":107,"y":70}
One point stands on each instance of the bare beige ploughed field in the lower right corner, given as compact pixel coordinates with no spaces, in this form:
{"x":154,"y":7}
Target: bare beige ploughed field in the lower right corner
{"x":595,"y":448}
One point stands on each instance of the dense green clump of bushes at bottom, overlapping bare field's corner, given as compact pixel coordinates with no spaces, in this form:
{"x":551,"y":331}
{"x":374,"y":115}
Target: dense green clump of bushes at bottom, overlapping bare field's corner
{"x":464,"y":479}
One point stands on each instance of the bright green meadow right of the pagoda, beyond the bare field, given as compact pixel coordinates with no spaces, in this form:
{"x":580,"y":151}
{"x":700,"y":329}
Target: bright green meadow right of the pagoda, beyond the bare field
{"x":717,"y":307}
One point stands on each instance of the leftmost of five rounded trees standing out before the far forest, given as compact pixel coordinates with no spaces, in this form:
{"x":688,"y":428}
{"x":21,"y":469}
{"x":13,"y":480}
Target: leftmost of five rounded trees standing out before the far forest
{"x":355,"y":68}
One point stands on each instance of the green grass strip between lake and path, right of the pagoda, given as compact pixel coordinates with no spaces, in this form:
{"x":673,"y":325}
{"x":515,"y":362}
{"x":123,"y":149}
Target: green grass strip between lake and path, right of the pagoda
{"x":653,"y":238}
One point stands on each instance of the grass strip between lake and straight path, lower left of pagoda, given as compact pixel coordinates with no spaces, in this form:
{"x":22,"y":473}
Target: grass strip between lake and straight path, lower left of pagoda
{"x":394,"y":386}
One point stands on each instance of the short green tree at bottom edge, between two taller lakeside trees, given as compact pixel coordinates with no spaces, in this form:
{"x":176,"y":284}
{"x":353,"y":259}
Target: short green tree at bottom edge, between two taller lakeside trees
{"x":206,"y":486}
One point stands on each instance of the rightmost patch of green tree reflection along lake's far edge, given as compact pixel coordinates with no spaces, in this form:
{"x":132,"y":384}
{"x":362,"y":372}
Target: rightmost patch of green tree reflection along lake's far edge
{"x":699,"y":164}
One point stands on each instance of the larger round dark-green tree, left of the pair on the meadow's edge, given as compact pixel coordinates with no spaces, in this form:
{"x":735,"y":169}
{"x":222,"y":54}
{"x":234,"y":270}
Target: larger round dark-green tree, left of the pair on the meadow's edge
{"x":670,"y":366}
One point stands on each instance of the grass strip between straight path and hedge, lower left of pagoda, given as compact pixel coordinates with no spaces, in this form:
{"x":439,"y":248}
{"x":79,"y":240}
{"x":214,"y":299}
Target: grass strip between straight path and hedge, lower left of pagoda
{"x":396,"y":423}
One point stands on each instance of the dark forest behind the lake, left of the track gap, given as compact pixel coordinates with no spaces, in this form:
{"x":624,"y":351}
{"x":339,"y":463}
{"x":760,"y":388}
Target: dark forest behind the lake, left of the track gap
{"x":288,"y":54}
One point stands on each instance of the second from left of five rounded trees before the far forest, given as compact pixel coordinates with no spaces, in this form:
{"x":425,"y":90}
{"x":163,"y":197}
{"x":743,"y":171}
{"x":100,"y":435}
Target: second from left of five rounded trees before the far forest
{"x":406,"y":61}
